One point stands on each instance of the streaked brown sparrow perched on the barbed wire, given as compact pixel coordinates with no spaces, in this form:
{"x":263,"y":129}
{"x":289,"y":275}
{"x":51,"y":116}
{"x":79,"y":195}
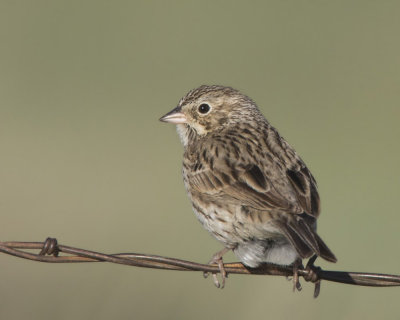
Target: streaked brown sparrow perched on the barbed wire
{"x":248,"y":187}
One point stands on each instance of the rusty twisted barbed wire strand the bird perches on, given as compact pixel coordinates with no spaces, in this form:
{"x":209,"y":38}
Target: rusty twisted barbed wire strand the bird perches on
{"x":50,"y":252}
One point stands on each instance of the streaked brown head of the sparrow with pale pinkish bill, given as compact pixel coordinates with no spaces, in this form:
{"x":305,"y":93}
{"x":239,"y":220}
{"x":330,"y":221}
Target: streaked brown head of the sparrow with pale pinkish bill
{"x":210,"y":109}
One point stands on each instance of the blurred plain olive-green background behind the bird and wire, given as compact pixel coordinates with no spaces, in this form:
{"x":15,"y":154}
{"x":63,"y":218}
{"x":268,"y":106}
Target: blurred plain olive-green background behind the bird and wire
{"x":84,"y":158}
